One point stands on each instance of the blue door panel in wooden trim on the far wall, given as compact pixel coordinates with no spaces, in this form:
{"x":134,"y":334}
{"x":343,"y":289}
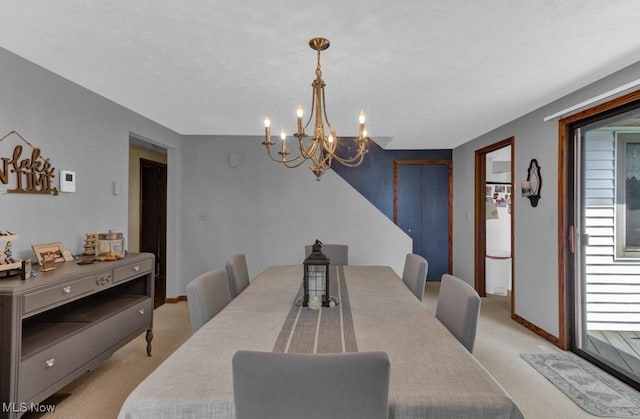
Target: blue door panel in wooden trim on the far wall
{"x":423,"y":210}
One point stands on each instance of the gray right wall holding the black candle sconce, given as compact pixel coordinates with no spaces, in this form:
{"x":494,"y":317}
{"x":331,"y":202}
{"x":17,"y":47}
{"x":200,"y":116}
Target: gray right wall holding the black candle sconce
{"x":536,"y":232}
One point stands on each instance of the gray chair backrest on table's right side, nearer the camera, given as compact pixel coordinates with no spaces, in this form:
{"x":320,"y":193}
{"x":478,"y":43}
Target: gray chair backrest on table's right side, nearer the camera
{"x":458,"y":309}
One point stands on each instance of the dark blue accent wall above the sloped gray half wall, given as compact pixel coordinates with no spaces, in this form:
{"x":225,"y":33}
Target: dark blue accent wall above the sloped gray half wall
{"x":374,"y":178}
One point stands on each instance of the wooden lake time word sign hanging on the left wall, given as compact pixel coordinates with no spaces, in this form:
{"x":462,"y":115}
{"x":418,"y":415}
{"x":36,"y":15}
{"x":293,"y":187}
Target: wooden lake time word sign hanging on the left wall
{"x":31,"y":172}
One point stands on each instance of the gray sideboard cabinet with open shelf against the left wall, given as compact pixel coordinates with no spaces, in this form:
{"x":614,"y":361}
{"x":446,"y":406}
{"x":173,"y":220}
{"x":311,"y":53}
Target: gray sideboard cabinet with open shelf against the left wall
{"x":65,"y":322}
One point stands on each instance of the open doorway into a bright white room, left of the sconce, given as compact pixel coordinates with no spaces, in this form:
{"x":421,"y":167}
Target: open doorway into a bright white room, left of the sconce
{"x":494,"y":214}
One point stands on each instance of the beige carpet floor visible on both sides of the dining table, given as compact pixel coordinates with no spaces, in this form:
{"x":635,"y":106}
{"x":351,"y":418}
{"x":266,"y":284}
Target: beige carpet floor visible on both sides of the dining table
{"x":499,"y":343}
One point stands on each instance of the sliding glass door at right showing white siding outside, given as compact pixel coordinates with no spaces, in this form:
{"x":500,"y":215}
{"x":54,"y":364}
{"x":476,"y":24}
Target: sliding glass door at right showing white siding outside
{"x":605,"y":241}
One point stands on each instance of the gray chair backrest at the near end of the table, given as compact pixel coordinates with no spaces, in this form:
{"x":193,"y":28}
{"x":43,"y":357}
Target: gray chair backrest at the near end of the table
{"x":270,"y":385}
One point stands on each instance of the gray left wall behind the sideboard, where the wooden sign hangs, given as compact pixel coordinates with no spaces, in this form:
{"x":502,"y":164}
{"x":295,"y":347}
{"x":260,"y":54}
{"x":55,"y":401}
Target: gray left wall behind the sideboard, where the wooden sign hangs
{"x":80,"y":131}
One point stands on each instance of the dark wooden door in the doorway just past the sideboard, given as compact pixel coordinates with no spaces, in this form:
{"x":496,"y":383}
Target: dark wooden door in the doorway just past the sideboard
{"x":153,"y":221}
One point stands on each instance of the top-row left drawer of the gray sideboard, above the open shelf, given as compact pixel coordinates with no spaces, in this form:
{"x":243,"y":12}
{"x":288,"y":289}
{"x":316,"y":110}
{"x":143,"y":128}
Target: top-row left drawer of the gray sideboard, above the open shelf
{"x":55,"y":295}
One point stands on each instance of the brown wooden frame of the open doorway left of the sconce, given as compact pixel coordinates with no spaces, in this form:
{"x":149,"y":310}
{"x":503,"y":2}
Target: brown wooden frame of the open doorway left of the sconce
{"x":480,"y":221}
